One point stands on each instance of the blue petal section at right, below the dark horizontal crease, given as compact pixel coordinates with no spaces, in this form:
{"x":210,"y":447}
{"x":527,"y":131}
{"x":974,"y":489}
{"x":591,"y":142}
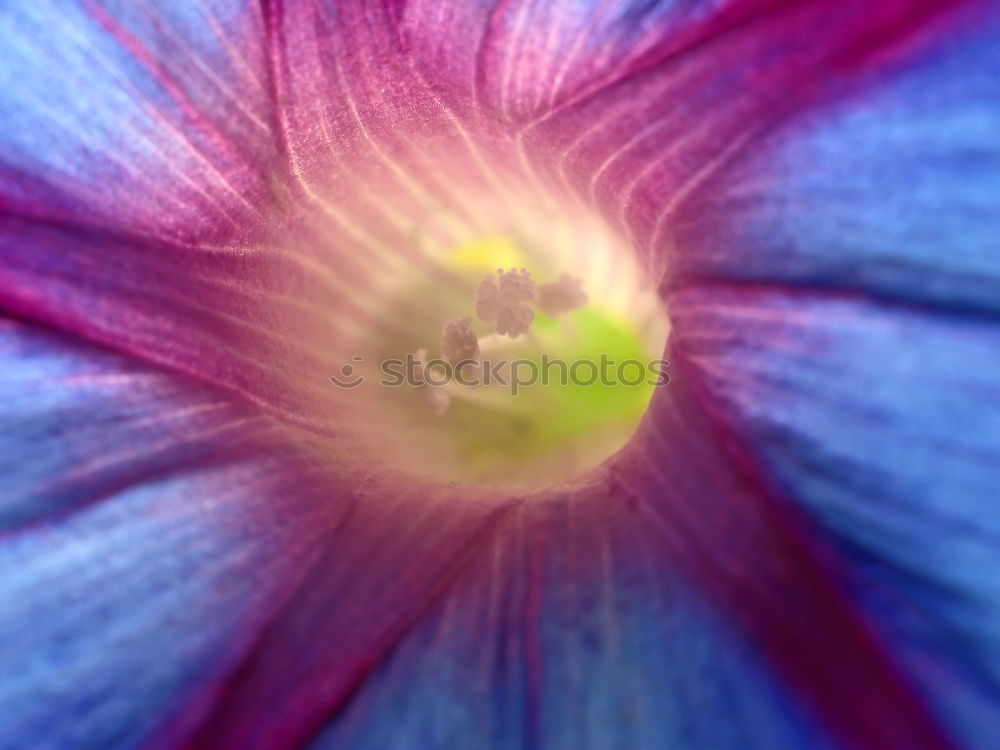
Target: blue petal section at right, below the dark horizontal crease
{"x":882,"y":424}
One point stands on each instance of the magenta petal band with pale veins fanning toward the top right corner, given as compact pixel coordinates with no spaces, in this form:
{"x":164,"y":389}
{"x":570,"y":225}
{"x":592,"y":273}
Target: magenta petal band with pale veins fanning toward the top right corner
{"x":638,"y":148}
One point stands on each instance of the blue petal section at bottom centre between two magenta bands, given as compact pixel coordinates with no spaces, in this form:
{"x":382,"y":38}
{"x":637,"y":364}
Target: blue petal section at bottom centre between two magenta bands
{"x":568,"y":631}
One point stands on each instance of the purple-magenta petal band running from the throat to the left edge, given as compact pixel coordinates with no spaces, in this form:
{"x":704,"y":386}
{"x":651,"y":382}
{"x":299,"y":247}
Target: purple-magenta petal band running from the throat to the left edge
{"x":227,"y":319}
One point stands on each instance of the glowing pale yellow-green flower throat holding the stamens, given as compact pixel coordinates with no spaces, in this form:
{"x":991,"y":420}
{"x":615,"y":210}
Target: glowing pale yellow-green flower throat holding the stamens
{"x":516,"y":363}
